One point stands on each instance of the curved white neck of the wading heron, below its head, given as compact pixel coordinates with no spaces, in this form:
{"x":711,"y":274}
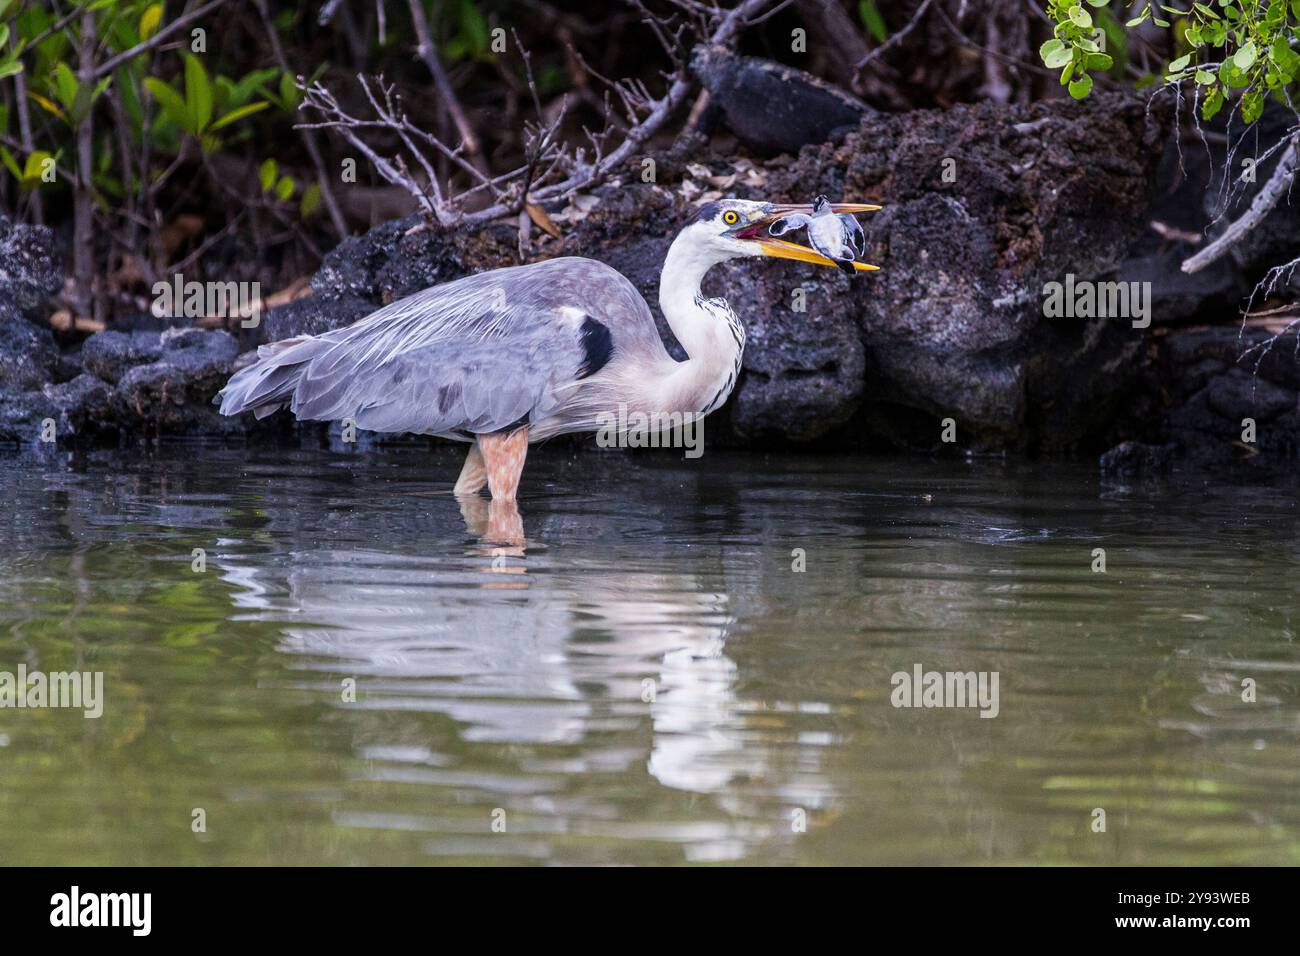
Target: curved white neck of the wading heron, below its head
{"x":709,"y":331}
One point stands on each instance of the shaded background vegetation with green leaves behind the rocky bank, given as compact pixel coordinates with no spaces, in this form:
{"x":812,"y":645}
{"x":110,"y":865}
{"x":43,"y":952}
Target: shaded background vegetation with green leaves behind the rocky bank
{"x":177,"y":152}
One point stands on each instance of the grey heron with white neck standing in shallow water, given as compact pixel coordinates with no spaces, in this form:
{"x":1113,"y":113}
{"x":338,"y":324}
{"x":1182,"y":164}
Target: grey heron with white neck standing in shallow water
{"x":522,"y":354}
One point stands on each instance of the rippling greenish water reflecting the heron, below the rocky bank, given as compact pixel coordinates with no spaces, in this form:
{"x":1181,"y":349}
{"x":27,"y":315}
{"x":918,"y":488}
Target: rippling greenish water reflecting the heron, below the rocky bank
{"x":648,"y":681}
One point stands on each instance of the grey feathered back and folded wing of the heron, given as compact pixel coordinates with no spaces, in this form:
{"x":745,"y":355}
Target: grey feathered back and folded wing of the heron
{"x":475,"y":356}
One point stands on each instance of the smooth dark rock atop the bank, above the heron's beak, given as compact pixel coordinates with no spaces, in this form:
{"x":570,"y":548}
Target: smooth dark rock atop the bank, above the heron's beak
{"x":770,"y":107}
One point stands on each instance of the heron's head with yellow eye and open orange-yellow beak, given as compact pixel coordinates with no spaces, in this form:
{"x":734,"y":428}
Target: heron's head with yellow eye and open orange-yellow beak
{"x":735,"y":228}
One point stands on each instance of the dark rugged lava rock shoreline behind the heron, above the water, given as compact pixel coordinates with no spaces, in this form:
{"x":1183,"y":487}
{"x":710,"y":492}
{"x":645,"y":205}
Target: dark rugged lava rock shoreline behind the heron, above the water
{"x":983,"y":207}
